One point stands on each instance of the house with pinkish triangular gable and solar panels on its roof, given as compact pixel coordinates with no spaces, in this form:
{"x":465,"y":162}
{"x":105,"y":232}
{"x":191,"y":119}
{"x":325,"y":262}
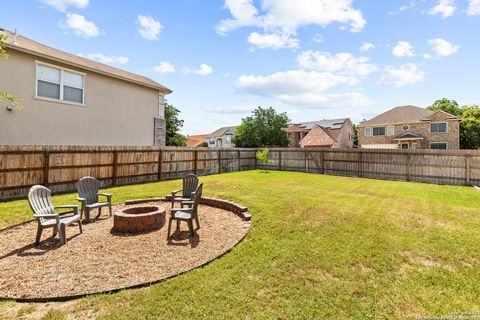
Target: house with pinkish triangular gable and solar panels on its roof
{"x":336,"y":133}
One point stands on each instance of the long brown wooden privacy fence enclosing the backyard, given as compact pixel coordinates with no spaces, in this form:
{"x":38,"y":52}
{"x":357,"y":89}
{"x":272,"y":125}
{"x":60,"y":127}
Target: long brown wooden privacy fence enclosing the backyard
{"x":59,"y":167}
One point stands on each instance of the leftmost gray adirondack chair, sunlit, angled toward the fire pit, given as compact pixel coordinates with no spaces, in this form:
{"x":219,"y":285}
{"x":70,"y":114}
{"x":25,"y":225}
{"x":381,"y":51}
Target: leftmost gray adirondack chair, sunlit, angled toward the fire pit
{"x":40,"y":201}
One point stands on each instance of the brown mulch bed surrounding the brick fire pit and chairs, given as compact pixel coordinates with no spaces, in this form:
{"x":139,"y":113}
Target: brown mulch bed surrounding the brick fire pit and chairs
{"x":101,"y":260}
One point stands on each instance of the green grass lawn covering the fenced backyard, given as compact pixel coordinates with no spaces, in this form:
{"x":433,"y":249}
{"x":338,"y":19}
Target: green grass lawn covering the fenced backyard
{"x":320,"y":247}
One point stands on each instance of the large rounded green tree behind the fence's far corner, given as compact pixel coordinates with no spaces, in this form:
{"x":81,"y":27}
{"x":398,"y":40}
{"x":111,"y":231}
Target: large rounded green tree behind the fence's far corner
{"x":264,"y":128}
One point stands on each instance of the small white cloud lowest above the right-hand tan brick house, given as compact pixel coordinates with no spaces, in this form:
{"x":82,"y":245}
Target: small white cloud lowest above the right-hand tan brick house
{"x":402,"y":75}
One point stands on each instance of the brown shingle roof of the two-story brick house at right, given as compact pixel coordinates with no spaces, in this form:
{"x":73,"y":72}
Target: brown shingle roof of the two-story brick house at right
{"x":402,"y":114}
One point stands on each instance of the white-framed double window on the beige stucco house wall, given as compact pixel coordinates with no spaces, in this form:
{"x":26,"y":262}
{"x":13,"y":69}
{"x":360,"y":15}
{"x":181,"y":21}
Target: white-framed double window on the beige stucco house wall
{"x":60,"y":84}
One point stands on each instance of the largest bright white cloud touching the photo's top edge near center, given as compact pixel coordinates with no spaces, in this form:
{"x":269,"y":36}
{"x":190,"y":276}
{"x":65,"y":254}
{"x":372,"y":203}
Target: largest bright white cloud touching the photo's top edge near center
{"x":284,"y":17}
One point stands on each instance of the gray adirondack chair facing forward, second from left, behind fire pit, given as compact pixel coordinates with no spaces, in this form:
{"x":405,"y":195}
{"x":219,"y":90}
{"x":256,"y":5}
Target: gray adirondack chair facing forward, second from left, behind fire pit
{"x":88,"y":188}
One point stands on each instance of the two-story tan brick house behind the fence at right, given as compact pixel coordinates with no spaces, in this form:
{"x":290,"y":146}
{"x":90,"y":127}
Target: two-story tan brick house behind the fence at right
{"x":410,"y":127}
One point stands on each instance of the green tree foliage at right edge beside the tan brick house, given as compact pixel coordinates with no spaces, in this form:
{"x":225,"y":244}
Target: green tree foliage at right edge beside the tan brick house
{"x":470,"y":124}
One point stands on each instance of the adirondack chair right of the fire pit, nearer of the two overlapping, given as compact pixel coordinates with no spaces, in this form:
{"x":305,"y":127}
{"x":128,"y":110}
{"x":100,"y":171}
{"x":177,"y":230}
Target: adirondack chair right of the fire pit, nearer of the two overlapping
{"x":188,"y":213}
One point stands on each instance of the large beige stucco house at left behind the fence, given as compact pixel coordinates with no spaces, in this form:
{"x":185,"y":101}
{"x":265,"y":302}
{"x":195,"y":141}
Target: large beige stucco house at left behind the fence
{"x":70,"y":100}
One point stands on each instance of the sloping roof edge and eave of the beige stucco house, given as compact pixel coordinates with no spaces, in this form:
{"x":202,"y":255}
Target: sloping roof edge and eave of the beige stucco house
{"x":32,"y":47}
